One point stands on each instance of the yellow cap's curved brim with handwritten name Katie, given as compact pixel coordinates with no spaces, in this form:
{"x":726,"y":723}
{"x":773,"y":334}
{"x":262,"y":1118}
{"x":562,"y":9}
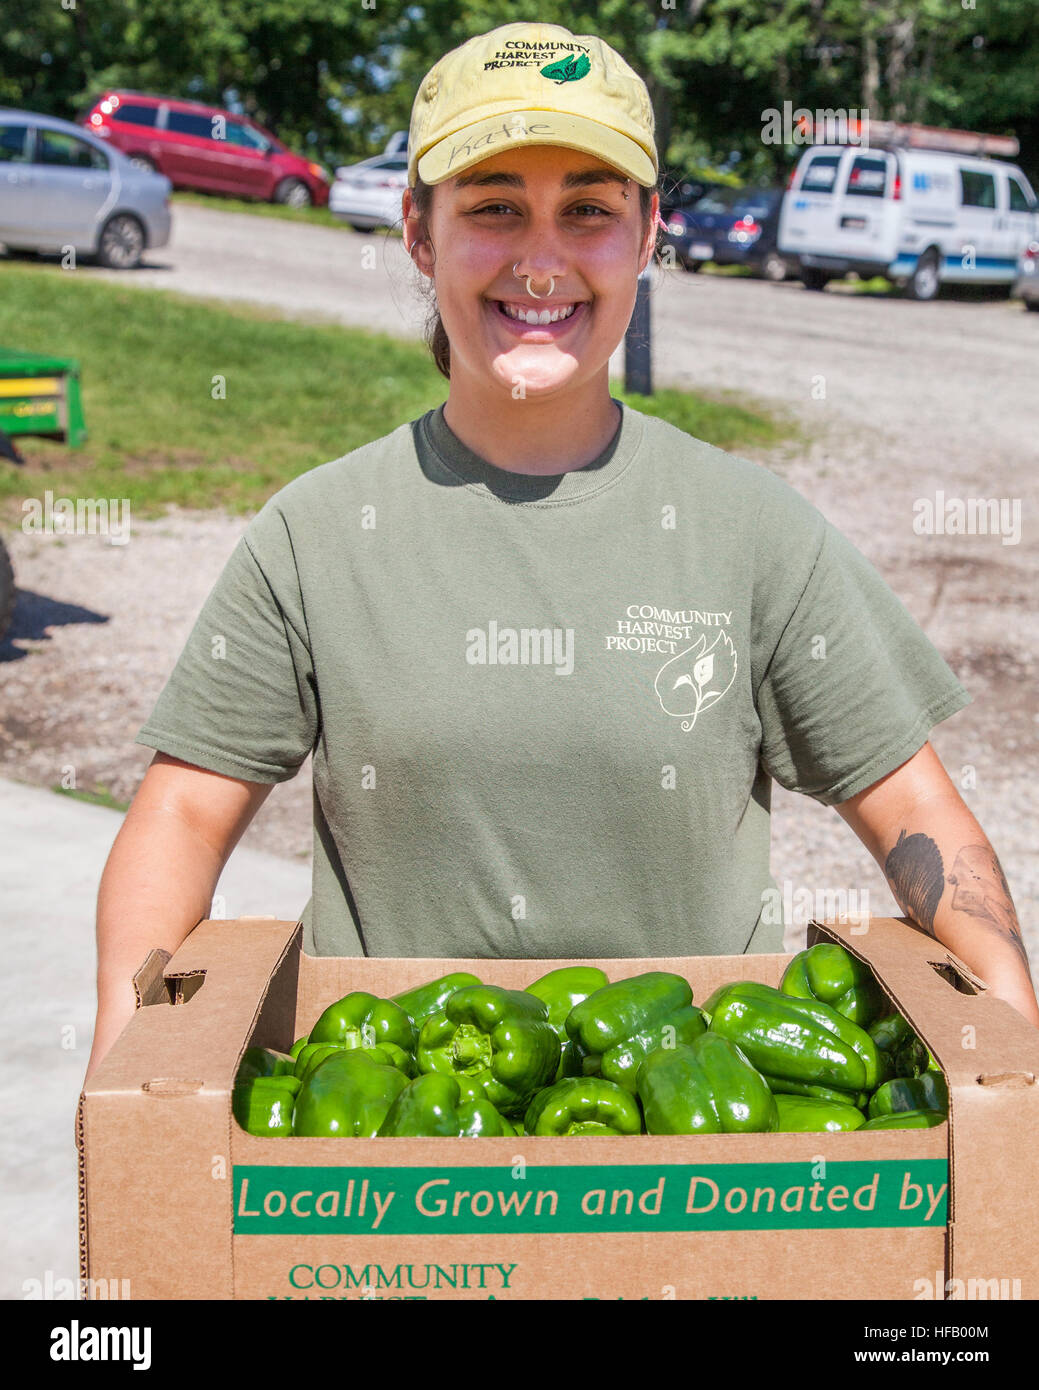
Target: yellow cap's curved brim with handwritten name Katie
{"x":499,"y":134}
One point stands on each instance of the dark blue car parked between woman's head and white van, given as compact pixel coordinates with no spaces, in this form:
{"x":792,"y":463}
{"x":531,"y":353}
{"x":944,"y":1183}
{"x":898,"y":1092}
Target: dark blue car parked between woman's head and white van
{"x":731,"y":227}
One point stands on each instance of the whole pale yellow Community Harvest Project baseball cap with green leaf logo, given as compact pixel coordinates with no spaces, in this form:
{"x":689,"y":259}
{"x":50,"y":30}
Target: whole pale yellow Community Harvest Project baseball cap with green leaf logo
{"x":531,"y":84}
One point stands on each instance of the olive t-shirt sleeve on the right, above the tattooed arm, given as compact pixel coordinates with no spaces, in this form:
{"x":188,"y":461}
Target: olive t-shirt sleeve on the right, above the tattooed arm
{"x":853,"y":687}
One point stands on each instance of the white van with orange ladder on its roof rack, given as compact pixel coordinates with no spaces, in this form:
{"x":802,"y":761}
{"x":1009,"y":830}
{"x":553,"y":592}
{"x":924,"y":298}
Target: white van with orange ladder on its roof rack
{"x":920,"y":218}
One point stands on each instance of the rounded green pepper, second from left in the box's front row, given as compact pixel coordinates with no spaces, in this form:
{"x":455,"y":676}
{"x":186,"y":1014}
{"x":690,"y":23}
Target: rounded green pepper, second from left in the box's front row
{"x":348,"y":1095}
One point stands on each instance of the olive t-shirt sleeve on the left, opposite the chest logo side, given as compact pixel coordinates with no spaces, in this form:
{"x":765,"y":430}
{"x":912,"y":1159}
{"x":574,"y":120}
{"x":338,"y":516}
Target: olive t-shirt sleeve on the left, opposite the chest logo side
{"x":243,"y":700}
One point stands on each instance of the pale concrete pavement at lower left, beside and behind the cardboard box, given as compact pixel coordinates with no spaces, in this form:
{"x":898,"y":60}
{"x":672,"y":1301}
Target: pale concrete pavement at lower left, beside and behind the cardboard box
{"x":52,"y":856}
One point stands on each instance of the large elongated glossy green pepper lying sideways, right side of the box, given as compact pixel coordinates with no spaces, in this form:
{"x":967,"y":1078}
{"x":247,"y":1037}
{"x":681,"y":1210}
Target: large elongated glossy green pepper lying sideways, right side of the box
{"x":798,"y":1040}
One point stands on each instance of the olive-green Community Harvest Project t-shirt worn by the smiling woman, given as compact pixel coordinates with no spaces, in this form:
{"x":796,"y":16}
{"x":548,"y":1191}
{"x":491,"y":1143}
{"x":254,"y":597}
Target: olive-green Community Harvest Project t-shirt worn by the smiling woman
{"x":546,"y":712}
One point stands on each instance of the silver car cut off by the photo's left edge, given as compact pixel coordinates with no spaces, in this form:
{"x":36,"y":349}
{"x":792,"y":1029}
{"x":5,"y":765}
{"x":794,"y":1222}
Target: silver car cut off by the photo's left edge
{"x":63,"y":187}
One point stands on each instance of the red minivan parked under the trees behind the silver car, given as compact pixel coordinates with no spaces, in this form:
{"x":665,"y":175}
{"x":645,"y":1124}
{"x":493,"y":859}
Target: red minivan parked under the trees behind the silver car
{"x":205,"y":148}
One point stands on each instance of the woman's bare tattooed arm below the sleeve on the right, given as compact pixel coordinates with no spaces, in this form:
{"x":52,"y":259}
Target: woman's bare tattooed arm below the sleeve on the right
{"x":945,"y":874}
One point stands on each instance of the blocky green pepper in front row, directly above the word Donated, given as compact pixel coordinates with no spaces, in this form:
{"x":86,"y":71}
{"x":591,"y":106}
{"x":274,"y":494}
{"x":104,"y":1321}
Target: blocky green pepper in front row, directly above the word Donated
{"x":704,"y":1088}
